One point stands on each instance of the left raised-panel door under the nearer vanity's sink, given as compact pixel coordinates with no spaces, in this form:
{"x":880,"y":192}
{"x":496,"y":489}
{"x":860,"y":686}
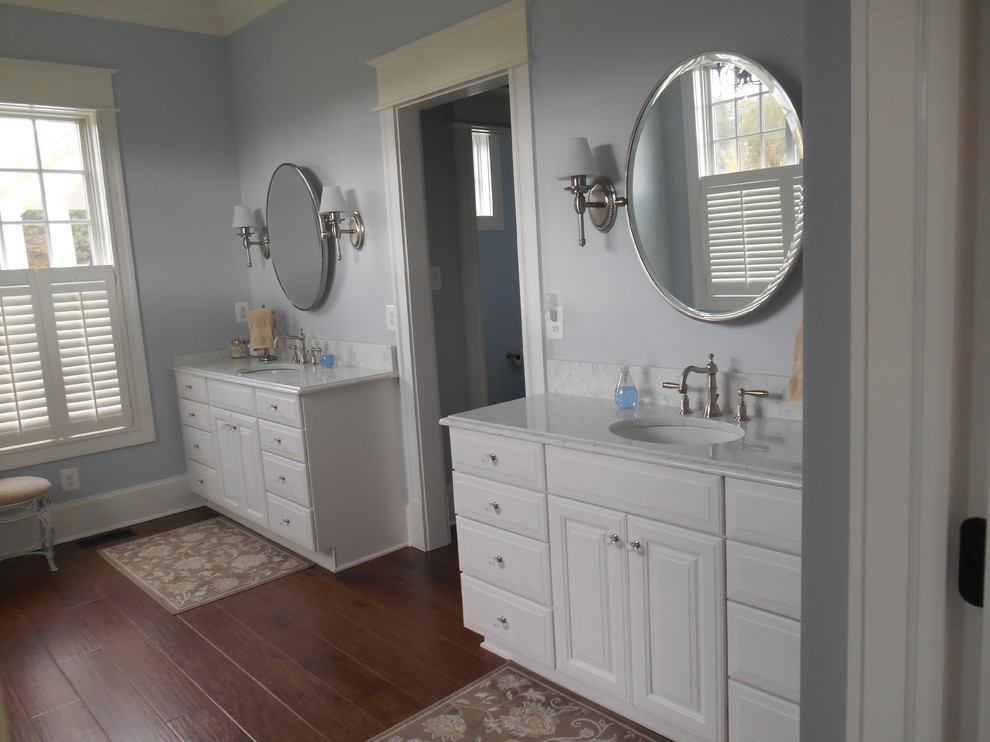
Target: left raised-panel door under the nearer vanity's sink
{"x":588,"y":576}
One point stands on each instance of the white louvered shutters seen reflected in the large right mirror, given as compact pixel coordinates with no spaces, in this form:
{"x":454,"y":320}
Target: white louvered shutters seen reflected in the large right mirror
{"x":749,"y":228}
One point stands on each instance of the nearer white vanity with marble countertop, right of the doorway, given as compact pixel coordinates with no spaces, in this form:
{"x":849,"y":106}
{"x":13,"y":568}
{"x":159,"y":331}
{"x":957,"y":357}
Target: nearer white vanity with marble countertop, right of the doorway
{"x":661,"y":581}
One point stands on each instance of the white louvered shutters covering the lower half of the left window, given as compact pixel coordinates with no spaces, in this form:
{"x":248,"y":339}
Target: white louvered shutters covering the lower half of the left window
{"x":72,"y":384}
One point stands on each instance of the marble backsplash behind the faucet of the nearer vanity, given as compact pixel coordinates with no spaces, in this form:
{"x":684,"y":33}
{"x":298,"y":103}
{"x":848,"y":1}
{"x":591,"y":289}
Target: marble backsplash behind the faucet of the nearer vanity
{"x":598,"y":380}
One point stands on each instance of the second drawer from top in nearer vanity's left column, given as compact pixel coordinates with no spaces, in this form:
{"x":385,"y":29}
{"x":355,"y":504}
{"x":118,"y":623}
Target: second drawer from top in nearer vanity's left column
{"x":518,"y":510}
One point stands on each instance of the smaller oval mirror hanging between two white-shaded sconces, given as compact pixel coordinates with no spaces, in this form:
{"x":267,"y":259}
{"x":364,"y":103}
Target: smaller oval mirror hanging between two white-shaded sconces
{"x":300,"y":254}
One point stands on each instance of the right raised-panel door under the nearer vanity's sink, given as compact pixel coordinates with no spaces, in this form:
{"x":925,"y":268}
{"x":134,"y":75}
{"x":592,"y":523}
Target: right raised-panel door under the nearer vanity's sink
{"x":676,"y":584}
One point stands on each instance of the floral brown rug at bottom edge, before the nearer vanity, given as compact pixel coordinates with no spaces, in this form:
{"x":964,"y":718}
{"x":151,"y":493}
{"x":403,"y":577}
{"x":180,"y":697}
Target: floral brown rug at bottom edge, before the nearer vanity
{"x":509,"y":705}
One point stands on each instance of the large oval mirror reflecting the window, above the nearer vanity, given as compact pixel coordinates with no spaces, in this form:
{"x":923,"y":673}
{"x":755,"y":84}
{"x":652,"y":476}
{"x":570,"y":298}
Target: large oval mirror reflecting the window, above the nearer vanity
{"x":714,"y":179}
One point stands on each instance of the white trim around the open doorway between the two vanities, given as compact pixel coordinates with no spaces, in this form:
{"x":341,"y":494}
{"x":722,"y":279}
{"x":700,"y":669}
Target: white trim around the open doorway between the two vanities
{"x":468,"y":56}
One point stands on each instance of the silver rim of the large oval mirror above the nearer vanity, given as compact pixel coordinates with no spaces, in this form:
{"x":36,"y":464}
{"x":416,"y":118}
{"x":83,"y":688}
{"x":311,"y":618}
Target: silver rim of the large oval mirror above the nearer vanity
{"x":794,"y":123}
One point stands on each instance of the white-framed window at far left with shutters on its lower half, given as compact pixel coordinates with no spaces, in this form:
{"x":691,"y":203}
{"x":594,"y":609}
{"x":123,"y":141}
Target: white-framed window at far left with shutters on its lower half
{"x":72,"y":373}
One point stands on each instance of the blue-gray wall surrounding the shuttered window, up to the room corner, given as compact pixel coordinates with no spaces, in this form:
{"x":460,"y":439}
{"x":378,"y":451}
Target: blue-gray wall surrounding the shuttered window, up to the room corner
{"x":180,"y":172}
